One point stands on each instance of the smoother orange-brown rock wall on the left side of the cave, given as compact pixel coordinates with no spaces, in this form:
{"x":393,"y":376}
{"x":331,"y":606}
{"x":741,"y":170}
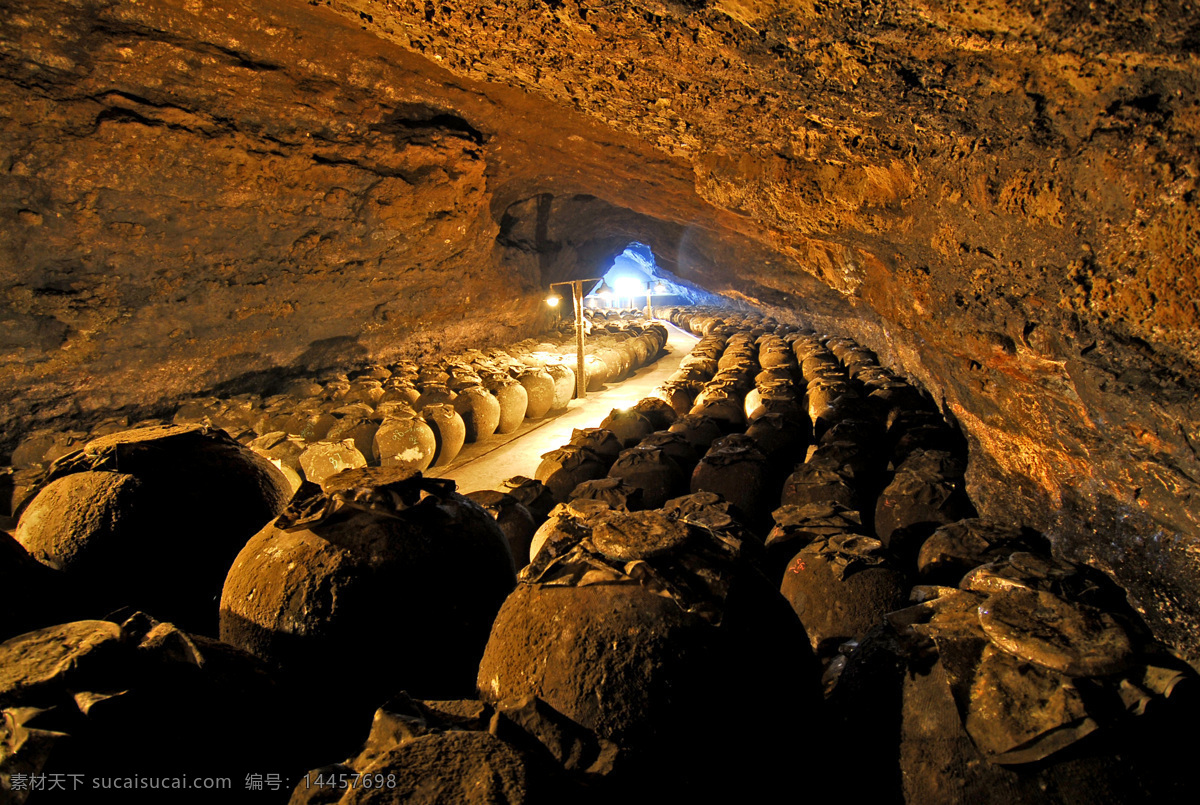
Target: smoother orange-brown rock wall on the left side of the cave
{"x":199,"y":194}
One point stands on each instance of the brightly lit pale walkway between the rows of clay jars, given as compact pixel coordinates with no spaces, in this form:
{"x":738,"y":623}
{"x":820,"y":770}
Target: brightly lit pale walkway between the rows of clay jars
{"x":488,"y":464}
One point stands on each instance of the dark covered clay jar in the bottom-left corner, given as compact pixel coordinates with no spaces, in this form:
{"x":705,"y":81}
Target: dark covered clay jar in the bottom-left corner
{"x":169,"y":702}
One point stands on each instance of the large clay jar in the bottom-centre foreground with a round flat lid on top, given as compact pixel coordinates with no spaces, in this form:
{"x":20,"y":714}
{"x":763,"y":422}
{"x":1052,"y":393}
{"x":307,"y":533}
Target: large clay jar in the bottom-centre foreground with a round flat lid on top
{"x":645,"y":668}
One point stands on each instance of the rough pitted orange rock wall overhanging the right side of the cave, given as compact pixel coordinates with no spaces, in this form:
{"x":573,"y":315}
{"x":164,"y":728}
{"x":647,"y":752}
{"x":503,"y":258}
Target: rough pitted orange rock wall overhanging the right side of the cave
{"x":1004,"y":194}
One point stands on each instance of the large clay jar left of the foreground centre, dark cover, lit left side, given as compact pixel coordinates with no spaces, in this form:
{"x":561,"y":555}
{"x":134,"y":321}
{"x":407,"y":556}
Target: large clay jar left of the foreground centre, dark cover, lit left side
{"x":387,"y":582}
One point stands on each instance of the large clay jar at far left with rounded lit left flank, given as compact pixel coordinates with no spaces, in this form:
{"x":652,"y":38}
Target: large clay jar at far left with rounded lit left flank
{"x":153,"y":519}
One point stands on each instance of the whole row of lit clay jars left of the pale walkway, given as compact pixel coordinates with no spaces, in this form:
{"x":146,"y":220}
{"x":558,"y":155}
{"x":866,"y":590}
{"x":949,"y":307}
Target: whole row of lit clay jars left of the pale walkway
{"x":407,"y":414}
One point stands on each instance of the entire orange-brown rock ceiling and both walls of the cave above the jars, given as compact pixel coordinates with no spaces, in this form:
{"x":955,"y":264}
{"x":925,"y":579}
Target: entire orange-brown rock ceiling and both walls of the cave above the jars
{"x":998,"y":199}
